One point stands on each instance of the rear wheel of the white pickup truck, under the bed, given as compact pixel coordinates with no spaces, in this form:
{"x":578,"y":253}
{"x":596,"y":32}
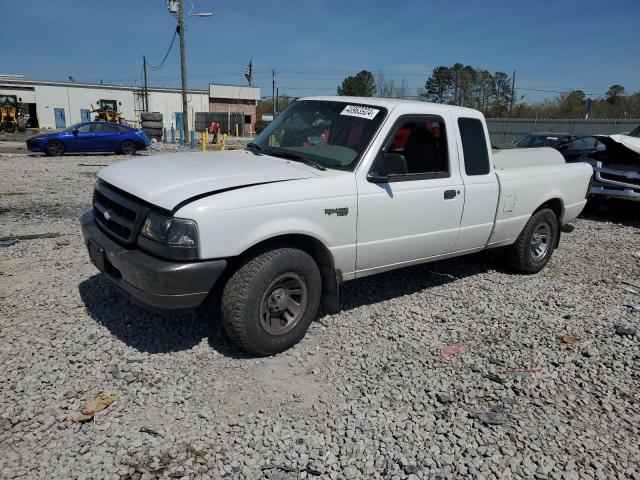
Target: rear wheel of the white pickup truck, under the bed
{"x":536,"y":243}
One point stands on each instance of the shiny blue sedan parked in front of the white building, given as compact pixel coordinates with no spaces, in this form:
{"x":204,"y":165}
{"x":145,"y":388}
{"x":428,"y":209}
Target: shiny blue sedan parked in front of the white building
{"x":90,"y":137}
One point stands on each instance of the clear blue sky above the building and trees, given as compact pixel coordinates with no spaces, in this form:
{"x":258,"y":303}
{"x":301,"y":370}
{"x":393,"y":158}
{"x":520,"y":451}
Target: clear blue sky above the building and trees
{"x":313,"y":44}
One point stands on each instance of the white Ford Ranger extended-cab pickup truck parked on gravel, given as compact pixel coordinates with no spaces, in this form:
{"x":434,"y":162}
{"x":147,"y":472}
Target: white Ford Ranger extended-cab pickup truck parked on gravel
{"x":334,"y":189}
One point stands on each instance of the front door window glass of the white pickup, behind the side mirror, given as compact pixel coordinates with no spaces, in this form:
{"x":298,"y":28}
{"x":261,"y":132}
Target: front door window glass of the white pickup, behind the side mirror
{"x":423,"y":143}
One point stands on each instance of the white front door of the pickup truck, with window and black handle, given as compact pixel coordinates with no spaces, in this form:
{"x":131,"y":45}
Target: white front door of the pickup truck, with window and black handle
{"x":413,"y":216}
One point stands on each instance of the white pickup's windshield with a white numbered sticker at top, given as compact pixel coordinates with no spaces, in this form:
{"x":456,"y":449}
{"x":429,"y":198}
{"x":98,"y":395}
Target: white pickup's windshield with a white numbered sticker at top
{"x":332,"y":134}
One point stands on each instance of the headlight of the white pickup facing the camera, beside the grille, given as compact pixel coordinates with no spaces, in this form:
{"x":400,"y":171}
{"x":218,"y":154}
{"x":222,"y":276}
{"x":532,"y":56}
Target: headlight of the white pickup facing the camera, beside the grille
{"x":175,"y":238}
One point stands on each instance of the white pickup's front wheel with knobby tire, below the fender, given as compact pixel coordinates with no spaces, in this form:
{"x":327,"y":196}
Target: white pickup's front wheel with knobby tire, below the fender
{"x":256,"y":302}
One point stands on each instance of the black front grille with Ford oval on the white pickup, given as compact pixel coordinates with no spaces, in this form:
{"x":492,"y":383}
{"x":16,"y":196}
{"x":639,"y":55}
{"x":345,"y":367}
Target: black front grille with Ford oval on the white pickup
{"x":120,"y":215}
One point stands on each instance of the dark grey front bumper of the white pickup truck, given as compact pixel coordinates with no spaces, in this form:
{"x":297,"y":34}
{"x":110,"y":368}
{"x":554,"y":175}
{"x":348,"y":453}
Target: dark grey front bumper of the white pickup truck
{"x":151,"y":282}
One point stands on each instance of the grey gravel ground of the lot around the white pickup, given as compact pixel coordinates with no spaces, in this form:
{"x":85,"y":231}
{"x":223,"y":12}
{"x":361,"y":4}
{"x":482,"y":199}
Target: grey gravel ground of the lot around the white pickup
{"x":448,"y":370}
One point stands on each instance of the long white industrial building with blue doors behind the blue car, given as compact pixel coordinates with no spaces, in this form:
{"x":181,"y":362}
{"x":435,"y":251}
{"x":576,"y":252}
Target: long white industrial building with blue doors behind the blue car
{"x":51,"y":104}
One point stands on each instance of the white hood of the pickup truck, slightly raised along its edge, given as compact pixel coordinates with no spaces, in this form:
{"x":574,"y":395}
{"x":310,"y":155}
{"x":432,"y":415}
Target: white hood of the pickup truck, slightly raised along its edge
{"x":172,"y":179}
